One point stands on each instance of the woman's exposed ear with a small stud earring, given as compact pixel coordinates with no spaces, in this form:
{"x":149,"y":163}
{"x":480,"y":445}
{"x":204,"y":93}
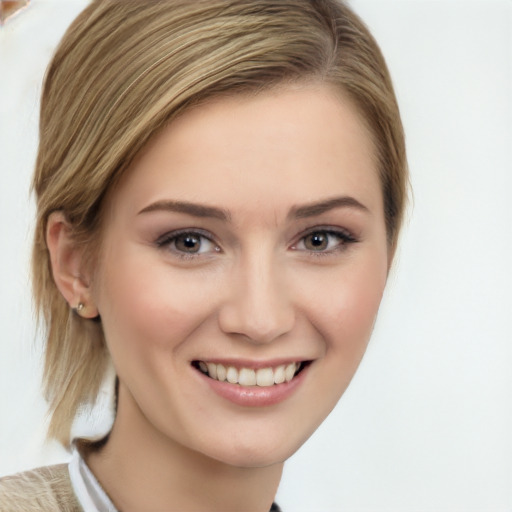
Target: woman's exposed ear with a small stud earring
{"x":69,"y":273}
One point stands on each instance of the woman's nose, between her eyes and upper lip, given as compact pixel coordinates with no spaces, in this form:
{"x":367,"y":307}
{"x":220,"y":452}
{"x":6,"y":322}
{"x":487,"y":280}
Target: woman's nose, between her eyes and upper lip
{"x":258,"y":305}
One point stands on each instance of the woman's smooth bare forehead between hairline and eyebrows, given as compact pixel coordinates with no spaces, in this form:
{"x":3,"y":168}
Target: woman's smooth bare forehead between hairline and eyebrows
{"x":294,"y":144}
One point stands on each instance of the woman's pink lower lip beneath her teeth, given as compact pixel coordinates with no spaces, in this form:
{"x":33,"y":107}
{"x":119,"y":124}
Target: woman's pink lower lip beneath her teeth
{"x":255,"y":396}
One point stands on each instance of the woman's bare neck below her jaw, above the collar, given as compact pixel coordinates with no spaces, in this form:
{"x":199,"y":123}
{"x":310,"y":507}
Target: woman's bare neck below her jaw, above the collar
{"x":142,"y":469}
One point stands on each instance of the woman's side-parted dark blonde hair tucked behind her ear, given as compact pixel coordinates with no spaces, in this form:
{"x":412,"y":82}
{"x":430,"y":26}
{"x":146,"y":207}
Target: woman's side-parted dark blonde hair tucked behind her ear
{"x":125,"y":69}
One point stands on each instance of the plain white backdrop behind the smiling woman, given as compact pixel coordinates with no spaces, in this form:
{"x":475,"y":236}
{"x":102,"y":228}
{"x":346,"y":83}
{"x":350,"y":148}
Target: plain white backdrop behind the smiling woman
{"x":426,"y":424}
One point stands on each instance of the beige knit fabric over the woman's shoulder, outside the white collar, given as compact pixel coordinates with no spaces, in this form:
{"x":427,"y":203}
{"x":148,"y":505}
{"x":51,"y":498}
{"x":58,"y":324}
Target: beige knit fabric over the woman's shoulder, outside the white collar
{"x":46,"y":489}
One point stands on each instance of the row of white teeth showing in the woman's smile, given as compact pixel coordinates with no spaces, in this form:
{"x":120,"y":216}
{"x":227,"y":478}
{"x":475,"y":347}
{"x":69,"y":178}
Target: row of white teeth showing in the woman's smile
{"x":248,"y":377}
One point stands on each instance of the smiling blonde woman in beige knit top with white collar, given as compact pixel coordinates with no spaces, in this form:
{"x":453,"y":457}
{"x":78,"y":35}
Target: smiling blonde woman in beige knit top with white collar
{"x":220,"y":187}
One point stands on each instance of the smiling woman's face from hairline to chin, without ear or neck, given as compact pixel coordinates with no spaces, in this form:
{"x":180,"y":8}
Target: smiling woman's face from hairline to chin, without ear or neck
{"x":246,"y":242}
